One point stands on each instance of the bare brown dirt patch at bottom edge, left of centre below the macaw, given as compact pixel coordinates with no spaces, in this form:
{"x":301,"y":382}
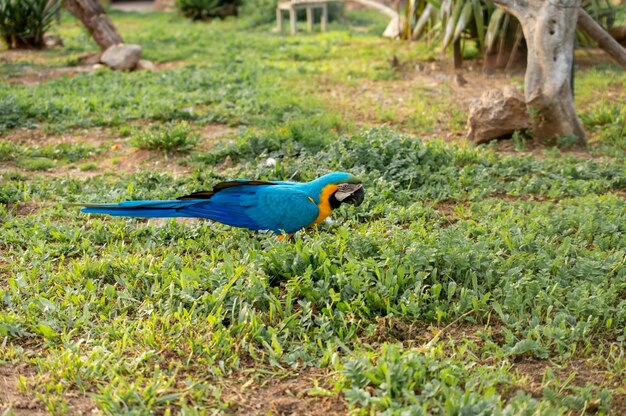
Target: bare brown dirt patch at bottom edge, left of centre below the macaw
{"x":286,"y":396}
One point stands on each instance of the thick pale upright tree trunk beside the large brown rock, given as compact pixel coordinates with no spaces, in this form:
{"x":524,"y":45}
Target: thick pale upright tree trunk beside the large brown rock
{"x":549,"y":28}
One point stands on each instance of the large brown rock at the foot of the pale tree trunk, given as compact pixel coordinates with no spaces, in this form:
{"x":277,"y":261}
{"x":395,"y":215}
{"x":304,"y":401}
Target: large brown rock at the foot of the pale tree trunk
{"x":498,"y":113}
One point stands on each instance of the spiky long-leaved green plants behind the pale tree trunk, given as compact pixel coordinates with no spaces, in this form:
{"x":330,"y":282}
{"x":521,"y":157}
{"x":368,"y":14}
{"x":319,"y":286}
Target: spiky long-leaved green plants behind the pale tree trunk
{"x":480,"y":21}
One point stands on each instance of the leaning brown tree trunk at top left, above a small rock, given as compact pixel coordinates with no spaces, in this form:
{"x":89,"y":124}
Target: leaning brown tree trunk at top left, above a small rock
{"x":91,"y":13}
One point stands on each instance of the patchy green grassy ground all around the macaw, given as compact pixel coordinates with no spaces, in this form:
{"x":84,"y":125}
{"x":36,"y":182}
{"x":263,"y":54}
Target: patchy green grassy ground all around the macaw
{"x":473,"y":280}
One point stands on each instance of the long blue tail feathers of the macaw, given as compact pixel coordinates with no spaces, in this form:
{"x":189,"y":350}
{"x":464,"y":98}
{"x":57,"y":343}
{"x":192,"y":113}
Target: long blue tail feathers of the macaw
{"x":141,"y":209}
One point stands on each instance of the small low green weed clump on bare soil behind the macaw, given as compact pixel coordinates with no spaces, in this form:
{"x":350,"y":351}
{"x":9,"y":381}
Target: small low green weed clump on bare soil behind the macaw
{"x":169,"y":137}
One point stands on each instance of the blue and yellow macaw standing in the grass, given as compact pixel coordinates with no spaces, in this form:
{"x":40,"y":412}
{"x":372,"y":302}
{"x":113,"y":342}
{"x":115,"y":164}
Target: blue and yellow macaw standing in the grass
{"x":280,"y":207}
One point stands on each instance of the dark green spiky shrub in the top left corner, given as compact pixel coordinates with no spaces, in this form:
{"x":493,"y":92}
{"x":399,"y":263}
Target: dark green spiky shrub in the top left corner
{"x":24,"y":22}
